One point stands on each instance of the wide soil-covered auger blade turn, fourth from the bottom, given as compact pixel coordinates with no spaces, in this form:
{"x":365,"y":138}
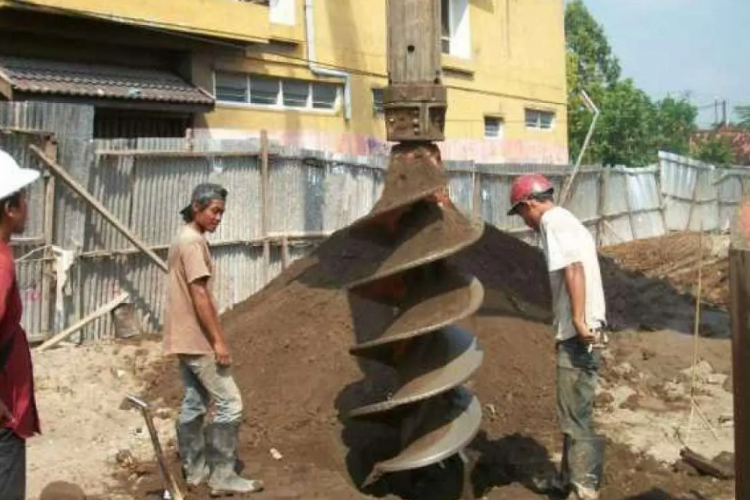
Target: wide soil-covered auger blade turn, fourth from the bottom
{"x":355,"y":256}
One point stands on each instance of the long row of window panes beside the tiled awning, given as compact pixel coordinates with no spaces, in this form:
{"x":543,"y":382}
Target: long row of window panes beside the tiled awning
{"x":281,"y":93}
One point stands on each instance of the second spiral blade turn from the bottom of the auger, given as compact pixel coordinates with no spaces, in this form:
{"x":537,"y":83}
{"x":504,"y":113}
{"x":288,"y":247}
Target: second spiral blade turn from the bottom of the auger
{"x":432,"y":364}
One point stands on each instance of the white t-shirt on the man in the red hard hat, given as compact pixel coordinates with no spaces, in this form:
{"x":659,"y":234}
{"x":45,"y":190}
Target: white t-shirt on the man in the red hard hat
{"x":566,"y":241}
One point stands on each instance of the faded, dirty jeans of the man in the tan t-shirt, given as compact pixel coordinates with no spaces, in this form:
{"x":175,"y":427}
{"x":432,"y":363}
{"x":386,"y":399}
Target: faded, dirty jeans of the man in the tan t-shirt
{"x":204,"y":381}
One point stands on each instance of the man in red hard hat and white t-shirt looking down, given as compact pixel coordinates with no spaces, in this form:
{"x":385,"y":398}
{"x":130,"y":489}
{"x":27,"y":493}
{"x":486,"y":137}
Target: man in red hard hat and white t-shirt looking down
{"x":579,"y":310}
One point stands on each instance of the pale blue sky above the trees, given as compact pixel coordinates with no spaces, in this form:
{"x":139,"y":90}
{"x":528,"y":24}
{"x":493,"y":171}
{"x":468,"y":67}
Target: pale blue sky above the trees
{"x":674,"y":47}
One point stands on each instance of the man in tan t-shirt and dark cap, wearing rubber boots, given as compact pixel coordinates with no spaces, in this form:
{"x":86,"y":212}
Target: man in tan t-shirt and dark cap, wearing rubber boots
{"x":193,"y":332}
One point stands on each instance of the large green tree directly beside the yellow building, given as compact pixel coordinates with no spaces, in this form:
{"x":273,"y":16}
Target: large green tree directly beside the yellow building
{"x":631,"y":127}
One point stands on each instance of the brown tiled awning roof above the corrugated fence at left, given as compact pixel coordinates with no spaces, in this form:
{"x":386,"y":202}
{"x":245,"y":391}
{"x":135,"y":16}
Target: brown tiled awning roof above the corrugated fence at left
{"x":22,"y":78}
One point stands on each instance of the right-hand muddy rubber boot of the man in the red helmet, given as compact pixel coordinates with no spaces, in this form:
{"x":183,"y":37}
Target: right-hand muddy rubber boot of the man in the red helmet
{"x":587,"y":467}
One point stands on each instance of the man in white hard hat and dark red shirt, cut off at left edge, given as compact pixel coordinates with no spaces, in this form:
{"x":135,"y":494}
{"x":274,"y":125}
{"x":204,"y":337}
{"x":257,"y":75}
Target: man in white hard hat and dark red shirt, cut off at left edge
{"x":19,"y":419}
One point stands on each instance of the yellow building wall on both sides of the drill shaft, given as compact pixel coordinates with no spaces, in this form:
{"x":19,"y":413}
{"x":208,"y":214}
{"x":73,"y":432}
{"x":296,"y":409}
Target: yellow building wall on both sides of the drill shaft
{"x":517,"y":61}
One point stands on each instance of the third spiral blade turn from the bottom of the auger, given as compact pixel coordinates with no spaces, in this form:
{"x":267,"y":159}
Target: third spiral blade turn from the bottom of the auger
{"x":430,"y":306}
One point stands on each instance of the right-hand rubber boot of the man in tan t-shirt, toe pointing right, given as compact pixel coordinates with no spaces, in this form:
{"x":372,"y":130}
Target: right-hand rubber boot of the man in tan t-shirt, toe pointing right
{"x":222,"y":442}
